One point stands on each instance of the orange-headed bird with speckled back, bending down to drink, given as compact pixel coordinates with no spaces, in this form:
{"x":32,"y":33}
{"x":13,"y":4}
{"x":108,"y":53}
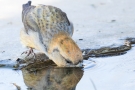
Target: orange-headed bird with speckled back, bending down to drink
{"x":48,"y":30}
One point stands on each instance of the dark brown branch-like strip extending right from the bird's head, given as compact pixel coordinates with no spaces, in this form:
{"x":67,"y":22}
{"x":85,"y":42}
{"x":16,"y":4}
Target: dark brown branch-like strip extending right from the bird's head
{"x":109,"y":51}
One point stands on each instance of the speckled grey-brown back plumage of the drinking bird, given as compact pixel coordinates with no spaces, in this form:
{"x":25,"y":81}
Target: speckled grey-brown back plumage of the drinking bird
{"x":47,"y":21}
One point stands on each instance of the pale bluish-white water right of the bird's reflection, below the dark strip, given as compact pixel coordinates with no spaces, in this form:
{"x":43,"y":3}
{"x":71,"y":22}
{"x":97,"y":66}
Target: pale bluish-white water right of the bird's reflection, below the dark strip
{"x":113,"y":73}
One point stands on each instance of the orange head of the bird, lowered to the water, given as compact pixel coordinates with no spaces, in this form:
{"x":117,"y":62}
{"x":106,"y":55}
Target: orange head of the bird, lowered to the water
{"x":66,"y":48}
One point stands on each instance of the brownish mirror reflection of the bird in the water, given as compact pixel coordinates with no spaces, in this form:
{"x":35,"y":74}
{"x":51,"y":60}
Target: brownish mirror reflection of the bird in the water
{"x":51,"y":77}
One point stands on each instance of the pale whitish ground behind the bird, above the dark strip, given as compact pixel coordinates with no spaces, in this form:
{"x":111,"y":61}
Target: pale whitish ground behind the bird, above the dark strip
{"x":93,"y":20}
